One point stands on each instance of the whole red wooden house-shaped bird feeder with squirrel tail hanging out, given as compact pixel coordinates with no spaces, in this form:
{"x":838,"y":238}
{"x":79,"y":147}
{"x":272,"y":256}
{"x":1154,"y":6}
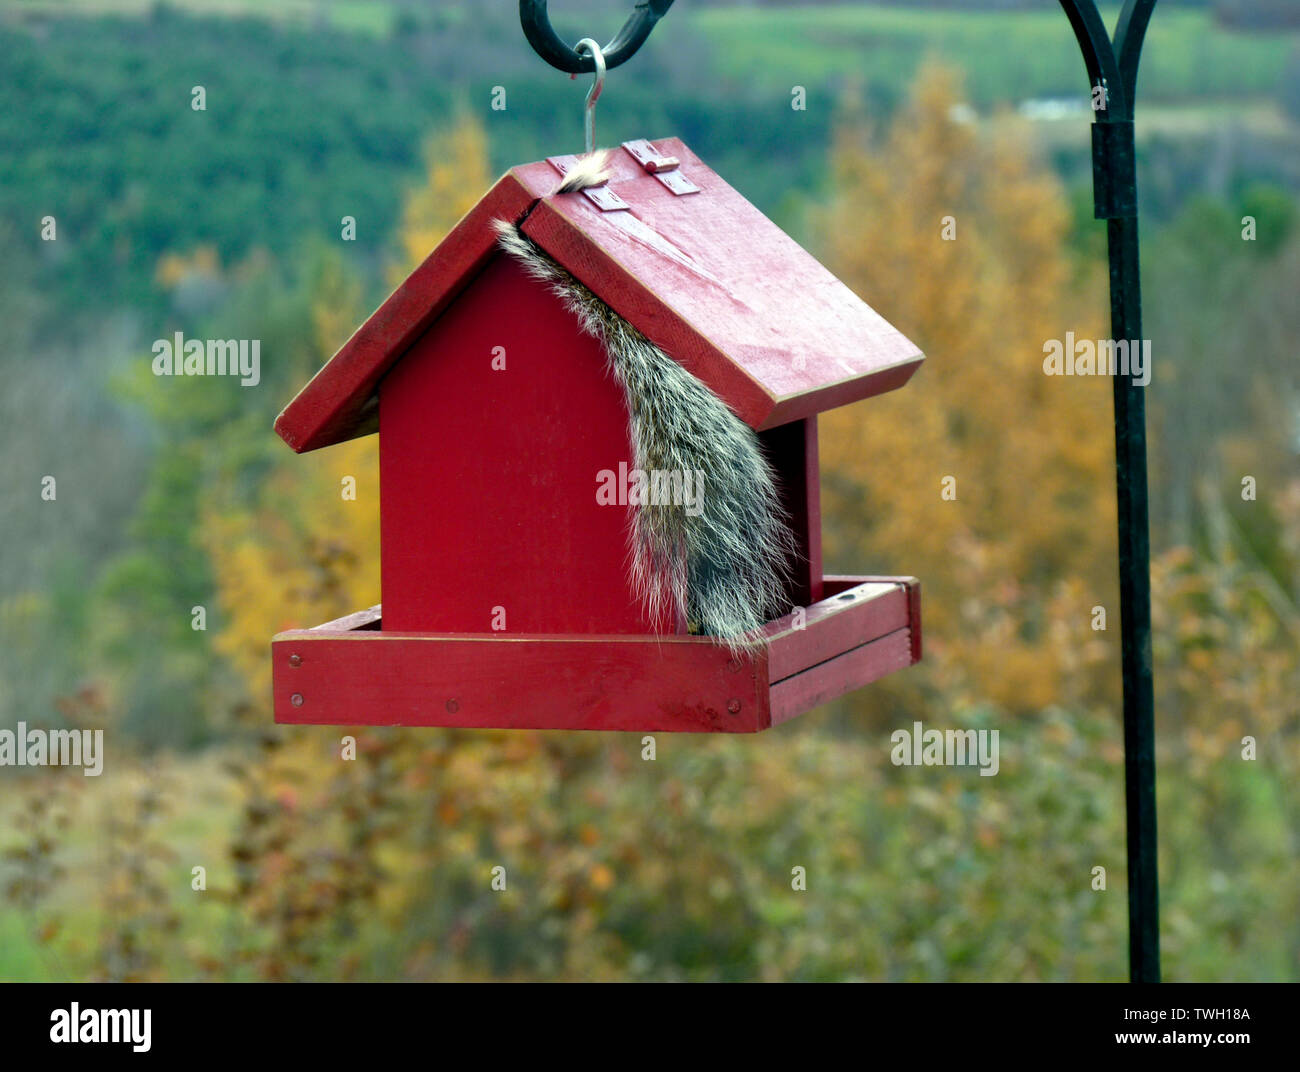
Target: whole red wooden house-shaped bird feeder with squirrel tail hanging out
{"x":521,"y":380}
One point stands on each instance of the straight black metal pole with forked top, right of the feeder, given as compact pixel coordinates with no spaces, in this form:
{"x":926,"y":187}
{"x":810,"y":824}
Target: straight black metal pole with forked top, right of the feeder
{"x":1113,"y":70}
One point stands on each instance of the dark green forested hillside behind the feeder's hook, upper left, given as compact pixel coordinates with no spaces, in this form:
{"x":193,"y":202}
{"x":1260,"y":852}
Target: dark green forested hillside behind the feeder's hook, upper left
{"x":301,"y":129}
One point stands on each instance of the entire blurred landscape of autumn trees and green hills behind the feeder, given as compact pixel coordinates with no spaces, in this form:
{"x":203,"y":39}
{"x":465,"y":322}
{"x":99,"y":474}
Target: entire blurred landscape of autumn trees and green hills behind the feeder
{"x":621,"y":869}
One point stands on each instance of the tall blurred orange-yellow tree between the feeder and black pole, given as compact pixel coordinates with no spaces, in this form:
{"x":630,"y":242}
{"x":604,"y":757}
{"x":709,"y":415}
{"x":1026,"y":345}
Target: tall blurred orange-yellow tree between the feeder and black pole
{"x":959,"y":238}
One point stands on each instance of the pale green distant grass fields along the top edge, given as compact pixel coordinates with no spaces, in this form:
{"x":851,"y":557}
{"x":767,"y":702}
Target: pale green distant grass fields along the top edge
{"x":1007,"y":55}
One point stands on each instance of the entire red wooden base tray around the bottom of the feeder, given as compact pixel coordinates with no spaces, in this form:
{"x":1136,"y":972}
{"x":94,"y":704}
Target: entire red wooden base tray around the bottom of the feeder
{"x":352,"y":672}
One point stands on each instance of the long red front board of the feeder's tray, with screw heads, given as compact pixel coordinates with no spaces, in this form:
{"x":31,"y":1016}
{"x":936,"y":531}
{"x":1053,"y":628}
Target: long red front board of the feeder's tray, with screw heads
{"x":638,"y":684}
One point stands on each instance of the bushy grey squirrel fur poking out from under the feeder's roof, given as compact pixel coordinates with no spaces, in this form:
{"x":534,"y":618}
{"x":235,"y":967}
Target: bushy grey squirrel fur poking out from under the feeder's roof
{"x":725,"y":568}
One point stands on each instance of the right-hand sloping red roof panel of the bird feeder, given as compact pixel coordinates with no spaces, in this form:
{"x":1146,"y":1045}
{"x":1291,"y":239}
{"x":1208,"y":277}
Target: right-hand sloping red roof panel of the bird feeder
{"x":729,"y":294}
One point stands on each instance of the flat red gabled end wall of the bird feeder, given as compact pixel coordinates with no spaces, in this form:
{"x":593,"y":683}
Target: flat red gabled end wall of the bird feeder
{"x":489,"y":478}
